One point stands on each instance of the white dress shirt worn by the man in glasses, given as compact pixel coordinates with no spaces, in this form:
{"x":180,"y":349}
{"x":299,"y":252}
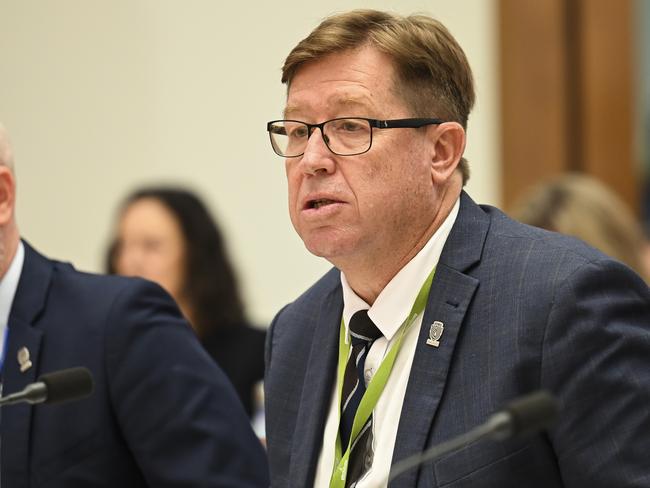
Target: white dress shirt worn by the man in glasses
{"x":389,"y":311}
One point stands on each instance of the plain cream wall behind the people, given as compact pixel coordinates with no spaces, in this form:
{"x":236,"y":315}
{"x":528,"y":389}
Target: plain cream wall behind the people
{"x":102,"y":96}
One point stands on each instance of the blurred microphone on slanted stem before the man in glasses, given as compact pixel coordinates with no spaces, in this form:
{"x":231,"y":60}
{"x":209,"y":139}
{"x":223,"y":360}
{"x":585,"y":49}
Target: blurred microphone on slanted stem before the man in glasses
{"x":522,"y":417}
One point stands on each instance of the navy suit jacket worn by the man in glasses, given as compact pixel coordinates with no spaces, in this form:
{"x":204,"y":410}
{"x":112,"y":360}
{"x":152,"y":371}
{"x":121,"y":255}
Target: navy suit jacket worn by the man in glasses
{"x":523,"y":309}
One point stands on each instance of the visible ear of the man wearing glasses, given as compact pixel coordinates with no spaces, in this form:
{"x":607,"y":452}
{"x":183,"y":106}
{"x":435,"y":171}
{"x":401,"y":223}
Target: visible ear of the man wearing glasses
{"x":448,"y":141}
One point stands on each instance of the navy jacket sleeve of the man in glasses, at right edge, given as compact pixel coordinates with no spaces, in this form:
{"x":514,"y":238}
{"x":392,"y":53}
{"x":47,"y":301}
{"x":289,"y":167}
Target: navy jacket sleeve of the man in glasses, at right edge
{"x":596,"y":358}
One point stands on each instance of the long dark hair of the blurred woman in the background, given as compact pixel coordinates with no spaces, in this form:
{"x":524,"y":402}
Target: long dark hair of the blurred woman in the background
{"x":209,"y":282}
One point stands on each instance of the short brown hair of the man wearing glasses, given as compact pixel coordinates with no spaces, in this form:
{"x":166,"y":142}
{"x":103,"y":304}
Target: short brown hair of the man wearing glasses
{"x":433,"y":76}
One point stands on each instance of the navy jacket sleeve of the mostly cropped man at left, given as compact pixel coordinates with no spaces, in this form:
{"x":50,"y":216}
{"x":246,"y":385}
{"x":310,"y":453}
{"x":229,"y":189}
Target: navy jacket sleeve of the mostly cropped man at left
{"x":176,"y":409}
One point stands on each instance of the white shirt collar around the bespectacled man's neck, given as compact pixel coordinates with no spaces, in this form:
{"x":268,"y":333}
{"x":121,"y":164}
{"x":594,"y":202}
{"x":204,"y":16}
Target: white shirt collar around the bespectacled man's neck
{"x":392,"y":306}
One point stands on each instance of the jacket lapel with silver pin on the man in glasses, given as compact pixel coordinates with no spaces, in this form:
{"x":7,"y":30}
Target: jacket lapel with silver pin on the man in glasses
{"x":450,"y":296}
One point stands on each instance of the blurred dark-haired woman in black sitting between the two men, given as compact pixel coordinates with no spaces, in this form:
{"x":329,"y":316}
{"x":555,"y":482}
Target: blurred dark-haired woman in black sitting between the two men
{"x":167,"y":235}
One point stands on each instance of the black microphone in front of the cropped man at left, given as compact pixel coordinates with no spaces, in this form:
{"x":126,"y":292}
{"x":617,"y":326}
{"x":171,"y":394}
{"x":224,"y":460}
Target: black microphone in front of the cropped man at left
{"x":57,"y":387}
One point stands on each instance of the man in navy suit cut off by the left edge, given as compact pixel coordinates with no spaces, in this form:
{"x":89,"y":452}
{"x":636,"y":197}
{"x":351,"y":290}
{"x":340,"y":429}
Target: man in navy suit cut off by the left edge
{"x":162,"y":414}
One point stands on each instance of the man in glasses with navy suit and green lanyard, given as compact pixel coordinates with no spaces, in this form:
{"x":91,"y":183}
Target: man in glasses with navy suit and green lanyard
{"x":438,"y":311}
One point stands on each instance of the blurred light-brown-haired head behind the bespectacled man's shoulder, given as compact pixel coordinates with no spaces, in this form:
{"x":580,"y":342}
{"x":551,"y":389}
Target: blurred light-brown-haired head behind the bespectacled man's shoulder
{"x":582,"y":207}
